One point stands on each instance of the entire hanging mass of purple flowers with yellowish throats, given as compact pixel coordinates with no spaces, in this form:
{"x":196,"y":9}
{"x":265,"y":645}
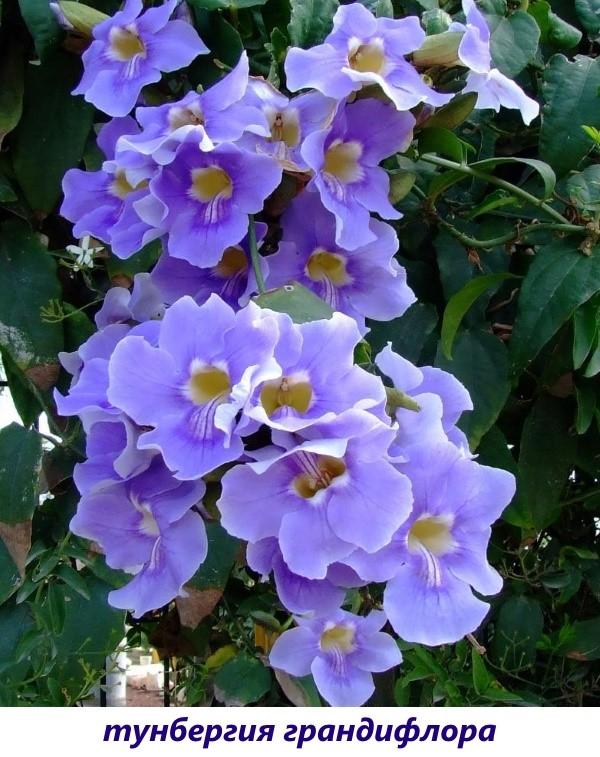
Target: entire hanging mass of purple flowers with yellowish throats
{"x":360,"y":475}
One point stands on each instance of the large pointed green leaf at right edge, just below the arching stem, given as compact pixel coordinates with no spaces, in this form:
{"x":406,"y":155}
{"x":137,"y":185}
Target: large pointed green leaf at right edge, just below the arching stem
{"x":559,"y":280}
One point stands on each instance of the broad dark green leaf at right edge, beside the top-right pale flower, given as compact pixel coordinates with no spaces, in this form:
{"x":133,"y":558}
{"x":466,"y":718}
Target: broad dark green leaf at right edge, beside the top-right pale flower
{"x":570,"y":93}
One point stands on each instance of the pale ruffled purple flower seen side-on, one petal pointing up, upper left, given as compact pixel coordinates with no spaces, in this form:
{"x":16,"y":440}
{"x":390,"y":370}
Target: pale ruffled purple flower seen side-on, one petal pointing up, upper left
{"x":205,"y":119}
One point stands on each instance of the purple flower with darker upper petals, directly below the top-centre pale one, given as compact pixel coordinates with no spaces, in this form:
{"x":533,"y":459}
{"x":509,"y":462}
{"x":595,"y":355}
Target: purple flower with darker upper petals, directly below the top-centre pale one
{"x":345,"y":160}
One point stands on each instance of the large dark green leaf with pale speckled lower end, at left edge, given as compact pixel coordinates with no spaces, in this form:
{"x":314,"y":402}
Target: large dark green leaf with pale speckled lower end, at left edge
{"x":25,"y":262}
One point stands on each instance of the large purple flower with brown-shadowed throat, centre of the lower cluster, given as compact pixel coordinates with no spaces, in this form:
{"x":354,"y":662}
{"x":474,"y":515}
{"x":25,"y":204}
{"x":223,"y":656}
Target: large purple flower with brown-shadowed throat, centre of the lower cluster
{"x":321,"y":497}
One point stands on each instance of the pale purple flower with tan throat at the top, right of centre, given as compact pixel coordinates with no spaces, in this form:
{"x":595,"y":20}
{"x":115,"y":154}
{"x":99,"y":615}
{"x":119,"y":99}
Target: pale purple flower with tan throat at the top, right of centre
{"x":360,"y":51}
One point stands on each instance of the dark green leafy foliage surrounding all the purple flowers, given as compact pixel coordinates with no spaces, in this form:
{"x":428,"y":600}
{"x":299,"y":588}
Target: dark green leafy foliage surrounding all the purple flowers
{"x":506,"y":303}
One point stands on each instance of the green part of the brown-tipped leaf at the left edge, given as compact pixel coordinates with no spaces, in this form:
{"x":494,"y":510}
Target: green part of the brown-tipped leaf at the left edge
{"x":20,"y":463}
